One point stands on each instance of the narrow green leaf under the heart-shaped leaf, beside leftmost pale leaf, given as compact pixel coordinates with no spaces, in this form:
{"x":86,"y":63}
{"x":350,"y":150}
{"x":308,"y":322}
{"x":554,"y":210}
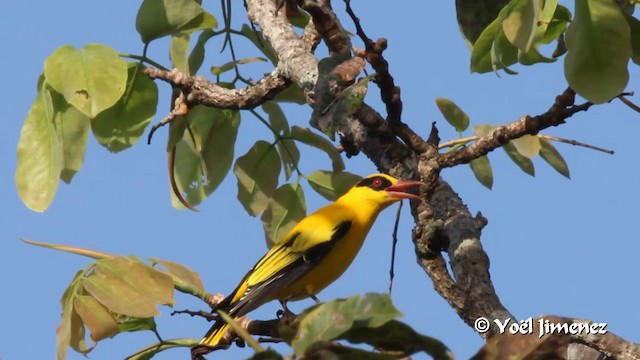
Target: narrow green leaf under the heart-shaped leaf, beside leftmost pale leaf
{"x":73,"y":128}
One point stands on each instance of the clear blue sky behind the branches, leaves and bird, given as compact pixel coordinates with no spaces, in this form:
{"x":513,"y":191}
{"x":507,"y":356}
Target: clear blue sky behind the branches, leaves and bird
{"x":557,"y":246}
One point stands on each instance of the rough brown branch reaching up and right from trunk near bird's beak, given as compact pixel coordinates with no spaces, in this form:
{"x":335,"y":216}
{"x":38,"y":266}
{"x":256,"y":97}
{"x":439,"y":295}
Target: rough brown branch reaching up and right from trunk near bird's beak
{"x":562,"y":109}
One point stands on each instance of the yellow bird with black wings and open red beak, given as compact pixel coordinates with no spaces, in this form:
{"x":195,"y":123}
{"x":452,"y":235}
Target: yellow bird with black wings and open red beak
{"x":313,"y":254}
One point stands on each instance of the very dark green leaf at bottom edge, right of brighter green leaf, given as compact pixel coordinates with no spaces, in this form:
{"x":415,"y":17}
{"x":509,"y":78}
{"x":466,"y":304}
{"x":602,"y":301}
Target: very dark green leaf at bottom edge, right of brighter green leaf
{"x":395,"y":337}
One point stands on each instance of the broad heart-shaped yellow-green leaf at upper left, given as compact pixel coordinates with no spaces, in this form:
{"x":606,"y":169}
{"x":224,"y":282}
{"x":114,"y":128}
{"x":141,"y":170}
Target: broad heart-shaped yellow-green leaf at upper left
{"x":92,"y":78}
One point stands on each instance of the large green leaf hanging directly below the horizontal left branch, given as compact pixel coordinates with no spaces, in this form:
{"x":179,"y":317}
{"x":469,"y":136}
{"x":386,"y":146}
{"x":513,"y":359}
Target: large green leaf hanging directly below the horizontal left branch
{"x":200,"y":167}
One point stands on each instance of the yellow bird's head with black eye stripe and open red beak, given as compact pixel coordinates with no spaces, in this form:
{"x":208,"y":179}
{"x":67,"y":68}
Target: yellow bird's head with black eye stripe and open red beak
{"x":381,"y":190}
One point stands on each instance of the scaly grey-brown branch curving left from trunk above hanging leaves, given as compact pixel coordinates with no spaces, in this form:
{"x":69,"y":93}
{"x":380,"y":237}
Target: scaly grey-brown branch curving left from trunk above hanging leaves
{"x":199,"y":90}
